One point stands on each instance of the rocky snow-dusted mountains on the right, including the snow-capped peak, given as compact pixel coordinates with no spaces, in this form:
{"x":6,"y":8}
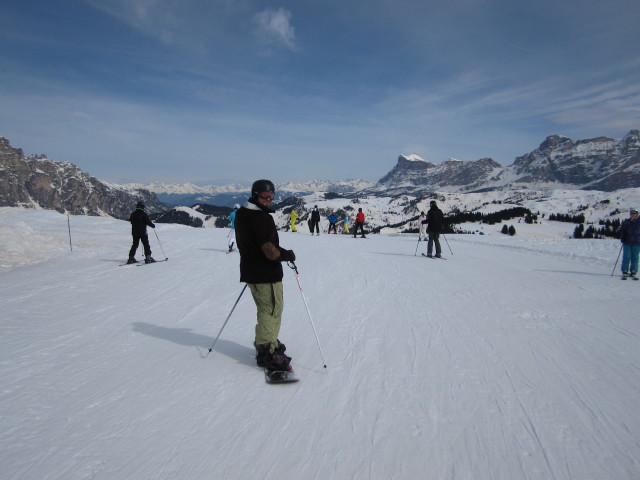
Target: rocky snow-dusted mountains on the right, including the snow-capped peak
{"x":600,"y":163}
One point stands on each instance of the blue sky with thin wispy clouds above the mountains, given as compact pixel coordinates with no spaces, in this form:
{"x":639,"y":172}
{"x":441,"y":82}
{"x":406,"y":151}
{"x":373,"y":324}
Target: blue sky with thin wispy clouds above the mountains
{"x":234,"y":90}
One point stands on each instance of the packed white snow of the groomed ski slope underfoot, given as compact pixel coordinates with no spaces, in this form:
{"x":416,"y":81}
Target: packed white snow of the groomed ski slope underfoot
{"x":516,"y":358}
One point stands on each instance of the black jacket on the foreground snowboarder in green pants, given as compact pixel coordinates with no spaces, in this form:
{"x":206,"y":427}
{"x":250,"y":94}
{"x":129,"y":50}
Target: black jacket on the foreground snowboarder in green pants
{"x":254,"y":228}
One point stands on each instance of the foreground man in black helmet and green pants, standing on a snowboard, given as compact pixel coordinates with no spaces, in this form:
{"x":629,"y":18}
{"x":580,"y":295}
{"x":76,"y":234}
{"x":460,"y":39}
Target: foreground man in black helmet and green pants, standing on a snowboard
{"x":261,"y":269}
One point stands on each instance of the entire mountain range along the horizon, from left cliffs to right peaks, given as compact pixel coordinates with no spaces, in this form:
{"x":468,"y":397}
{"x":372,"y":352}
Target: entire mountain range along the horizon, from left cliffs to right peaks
{"x":601,"y":163}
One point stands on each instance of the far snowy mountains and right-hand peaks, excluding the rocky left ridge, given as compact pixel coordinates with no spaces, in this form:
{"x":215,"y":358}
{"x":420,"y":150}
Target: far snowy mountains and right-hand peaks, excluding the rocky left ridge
{"x":601,"y":163}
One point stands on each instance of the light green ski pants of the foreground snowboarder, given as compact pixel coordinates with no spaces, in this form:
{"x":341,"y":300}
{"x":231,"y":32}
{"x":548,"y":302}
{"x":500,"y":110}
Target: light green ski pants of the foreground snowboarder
{"x":269,"y":303}
